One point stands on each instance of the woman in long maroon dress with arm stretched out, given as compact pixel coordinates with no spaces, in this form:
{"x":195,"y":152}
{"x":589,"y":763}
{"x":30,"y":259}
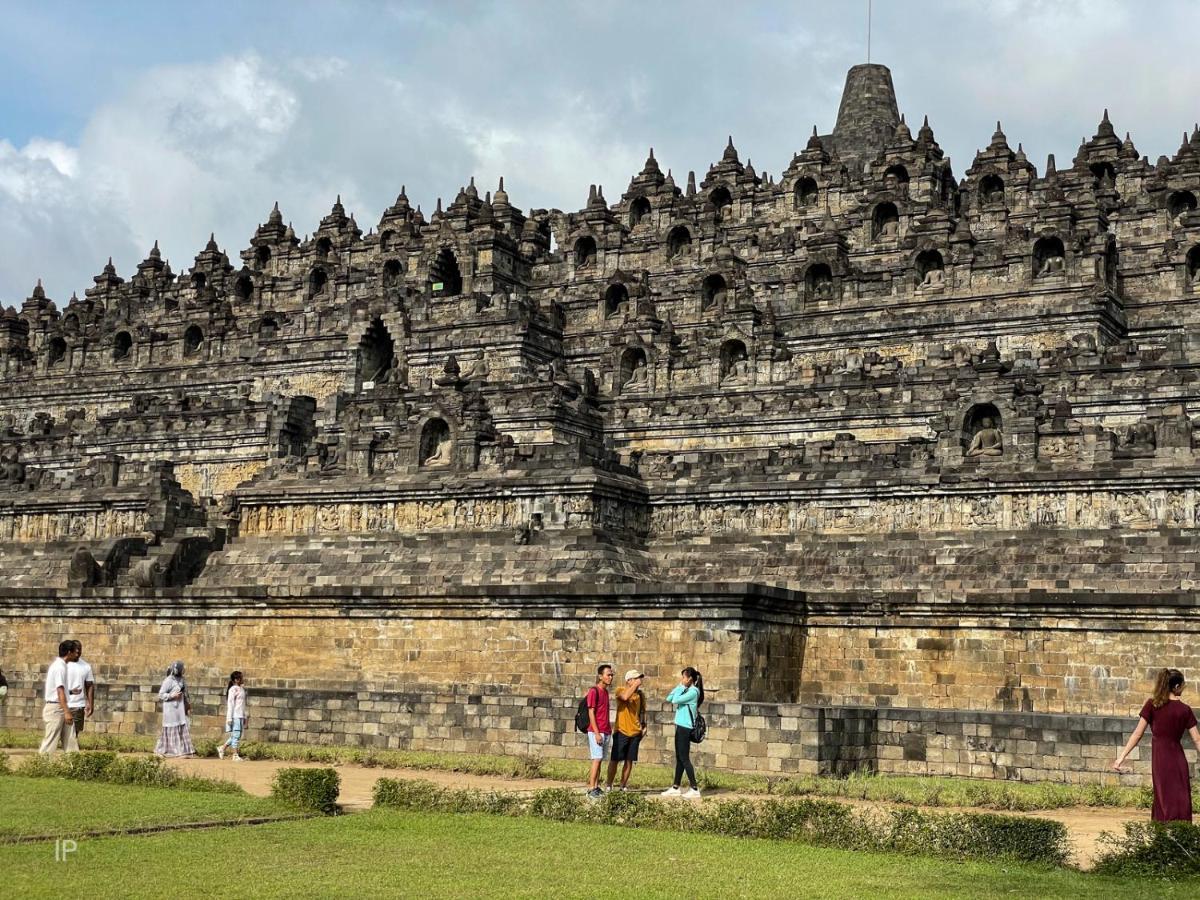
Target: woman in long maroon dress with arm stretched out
{"x":1168,"y":718}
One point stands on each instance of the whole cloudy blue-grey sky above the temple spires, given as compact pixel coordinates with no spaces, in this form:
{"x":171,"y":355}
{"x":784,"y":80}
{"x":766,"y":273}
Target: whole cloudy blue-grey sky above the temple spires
{"x":127,"y":123}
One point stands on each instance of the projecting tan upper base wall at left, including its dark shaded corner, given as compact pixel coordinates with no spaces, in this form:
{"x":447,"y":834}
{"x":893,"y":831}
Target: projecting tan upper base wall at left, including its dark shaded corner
{"x":525,"y":641}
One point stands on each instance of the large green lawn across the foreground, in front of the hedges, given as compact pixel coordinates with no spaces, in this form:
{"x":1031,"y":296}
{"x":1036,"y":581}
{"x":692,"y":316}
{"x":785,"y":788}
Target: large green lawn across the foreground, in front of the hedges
{"x":387,"y":854}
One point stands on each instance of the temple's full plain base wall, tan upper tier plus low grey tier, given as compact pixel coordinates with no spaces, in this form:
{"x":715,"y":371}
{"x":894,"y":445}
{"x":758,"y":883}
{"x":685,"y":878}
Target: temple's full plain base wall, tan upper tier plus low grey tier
{"x":1042,"y":698}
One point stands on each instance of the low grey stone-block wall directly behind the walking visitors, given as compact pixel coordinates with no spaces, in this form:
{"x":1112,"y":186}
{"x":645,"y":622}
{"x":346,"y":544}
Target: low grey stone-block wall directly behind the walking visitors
{"x":765,"y":739}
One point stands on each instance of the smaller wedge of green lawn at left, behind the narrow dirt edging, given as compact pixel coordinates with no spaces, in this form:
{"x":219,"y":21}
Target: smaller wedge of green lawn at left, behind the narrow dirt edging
{"x":57,"y":807}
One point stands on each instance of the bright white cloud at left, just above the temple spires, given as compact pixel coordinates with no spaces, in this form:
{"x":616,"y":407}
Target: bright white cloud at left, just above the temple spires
{"x":165,"y":161}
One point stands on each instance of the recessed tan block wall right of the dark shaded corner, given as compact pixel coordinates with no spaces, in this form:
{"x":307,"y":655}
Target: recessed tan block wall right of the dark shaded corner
{"x":1037,"y":665}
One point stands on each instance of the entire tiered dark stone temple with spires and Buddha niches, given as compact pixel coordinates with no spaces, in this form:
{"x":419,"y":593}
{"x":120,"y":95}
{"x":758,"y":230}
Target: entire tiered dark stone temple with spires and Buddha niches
{"x":903,"y":460}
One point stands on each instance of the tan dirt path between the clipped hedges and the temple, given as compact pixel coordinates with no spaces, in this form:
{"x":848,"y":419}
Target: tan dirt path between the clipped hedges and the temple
{"x":1084,"y":824}
